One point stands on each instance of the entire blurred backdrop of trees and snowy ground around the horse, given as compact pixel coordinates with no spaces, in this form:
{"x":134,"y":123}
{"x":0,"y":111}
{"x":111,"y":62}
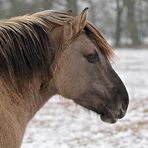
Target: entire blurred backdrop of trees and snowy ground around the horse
{"x":62,"y":124}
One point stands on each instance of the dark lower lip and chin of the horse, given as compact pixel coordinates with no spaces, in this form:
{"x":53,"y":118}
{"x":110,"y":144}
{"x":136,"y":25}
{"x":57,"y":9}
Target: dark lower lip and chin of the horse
{"x":108,"y":116}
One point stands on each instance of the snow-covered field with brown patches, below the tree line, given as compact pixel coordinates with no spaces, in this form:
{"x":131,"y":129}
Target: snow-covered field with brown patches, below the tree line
{"x":62,"y":124}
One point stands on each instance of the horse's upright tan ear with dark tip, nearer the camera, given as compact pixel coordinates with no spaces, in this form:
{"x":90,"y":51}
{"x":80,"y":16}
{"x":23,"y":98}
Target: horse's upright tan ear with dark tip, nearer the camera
{"x":80,"y":21}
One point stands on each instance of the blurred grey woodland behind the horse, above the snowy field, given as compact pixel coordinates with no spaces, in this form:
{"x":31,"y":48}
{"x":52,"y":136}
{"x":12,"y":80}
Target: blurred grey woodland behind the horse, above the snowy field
{"x":124,"y":22}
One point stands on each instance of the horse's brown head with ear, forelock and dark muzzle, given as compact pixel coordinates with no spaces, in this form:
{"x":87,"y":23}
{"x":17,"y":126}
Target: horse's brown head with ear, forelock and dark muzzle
{"x":83,"y":71}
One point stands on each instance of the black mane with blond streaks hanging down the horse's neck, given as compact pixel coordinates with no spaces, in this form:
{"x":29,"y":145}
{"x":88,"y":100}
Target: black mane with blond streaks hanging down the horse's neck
{"x":25,"y":49}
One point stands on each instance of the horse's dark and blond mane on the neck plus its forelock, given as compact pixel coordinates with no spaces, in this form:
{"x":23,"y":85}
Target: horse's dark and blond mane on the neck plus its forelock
{"x":25,"y":48}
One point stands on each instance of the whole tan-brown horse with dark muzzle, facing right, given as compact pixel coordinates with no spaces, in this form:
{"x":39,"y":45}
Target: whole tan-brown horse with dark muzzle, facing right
{"x":54,"y":52}
